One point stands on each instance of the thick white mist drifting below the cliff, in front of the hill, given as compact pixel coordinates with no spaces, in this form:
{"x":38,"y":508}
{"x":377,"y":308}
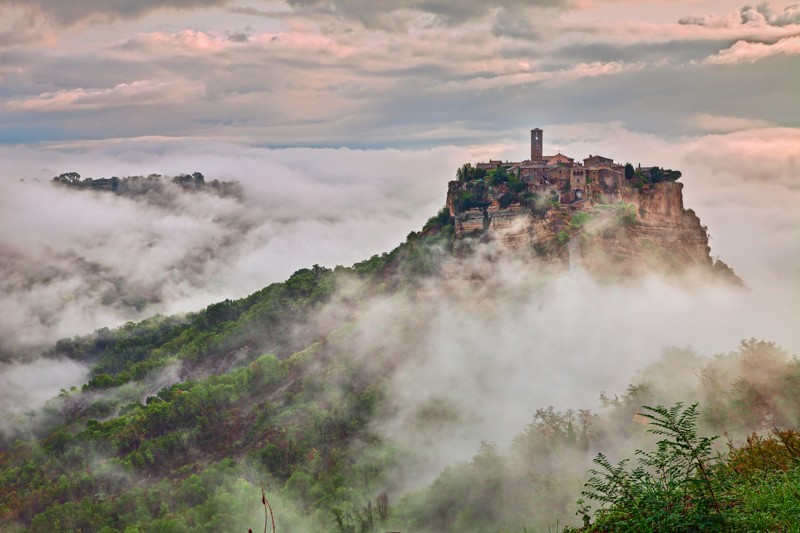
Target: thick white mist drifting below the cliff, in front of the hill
{"x":470,"y":357}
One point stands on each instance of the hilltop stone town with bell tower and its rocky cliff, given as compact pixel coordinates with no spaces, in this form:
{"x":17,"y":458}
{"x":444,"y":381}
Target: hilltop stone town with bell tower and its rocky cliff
{"x":619,"y":218}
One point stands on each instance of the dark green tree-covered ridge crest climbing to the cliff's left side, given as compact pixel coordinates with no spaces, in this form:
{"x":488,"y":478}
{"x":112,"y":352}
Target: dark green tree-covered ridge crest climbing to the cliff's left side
{"x":267,"y":320}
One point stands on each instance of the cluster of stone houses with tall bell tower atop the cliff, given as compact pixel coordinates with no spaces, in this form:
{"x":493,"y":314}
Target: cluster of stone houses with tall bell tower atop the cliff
{"x":573,"y":181}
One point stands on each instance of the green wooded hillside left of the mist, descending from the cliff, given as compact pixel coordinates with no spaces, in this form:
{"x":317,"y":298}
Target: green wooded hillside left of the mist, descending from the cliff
{"x":267,"y":410}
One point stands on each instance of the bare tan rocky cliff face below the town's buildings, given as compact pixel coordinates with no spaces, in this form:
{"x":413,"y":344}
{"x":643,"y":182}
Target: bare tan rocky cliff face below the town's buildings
{"x":627,"y":232}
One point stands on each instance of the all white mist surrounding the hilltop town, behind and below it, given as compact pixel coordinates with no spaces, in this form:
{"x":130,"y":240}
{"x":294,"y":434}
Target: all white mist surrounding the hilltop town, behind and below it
{"x":488,"y":353}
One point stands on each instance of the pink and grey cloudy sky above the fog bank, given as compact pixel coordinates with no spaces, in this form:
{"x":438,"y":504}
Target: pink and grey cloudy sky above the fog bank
{"x":390,"y":73}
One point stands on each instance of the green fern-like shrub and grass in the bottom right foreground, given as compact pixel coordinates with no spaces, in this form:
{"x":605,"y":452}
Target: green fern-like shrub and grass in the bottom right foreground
{"x":683,"y":486}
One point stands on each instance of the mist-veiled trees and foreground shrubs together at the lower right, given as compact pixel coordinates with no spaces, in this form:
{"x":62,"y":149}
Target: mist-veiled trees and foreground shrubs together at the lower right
{"x":686,"y":482}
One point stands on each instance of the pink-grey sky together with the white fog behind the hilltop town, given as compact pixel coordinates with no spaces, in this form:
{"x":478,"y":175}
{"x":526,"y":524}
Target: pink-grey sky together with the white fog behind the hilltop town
{"x":344,"y":119}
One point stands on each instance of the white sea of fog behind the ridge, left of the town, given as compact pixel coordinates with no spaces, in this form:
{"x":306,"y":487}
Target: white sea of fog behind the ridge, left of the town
{"x":79,"y":260}
